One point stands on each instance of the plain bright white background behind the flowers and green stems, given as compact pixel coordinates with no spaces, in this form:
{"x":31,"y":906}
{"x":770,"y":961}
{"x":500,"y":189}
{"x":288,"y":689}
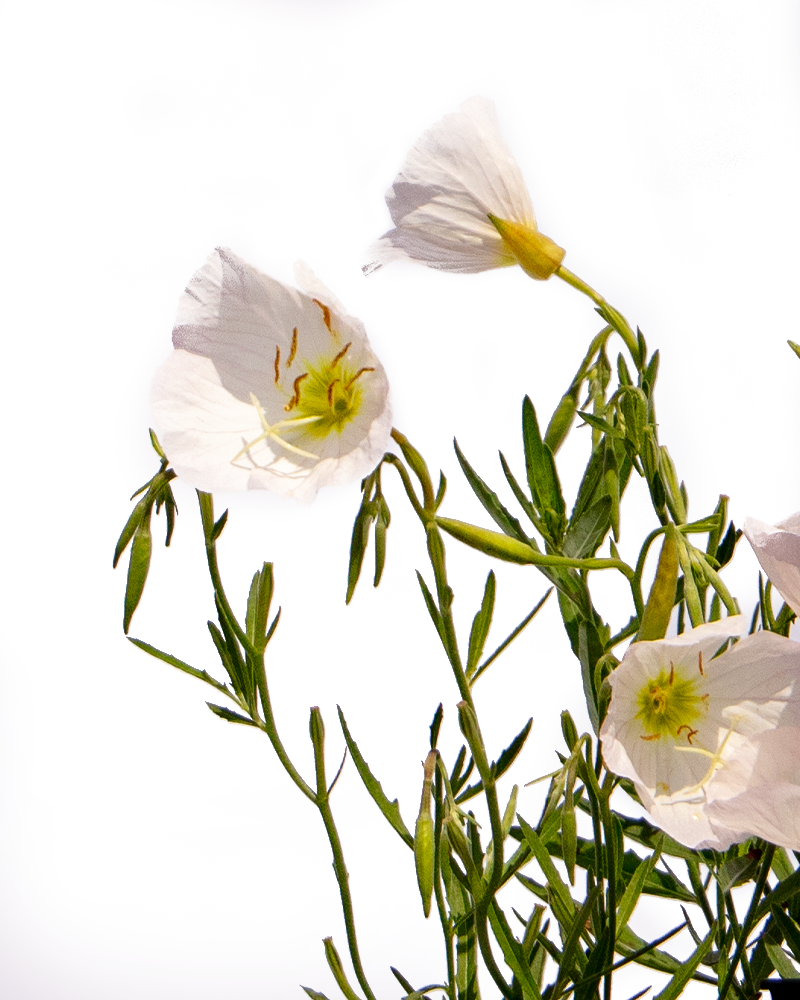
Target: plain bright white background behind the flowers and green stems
{"x":148,"y":849}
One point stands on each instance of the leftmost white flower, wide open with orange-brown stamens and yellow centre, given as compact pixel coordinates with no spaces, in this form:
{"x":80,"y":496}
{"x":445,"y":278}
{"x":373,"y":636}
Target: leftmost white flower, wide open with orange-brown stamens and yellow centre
{"x":268,"y":388}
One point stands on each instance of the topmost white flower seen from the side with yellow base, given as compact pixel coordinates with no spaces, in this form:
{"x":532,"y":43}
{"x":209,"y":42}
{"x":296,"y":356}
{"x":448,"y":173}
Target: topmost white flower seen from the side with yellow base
{"x":460,"y":203}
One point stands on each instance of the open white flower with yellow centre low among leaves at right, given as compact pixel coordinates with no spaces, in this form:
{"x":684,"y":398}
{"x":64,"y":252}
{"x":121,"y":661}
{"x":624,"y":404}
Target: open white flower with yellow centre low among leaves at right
{"x":712,"y":744}
